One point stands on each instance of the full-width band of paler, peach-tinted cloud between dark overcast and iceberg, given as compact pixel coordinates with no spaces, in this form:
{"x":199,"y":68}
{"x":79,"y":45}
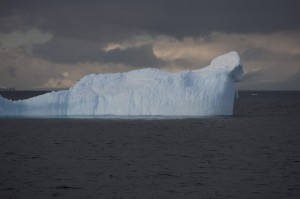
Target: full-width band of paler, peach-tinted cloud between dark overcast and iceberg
{"x":267,"y":58}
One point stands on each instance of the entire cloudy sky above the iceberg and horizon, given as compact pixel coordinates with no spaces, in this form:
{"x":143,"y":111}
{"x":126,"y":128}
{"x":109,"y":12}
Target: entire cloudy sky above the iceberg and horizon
{"x":52,"y":44}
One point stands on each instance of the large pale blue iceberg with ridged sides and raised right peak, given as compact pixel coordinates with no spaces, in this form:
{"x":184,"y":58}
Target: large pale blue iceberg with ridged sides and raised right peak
{"x":208,"y":91}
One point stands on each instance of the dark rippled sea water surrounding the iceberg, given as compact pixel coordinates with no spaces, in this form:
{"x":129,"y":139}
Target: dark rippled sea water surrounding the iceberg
{"x":253,"y":154}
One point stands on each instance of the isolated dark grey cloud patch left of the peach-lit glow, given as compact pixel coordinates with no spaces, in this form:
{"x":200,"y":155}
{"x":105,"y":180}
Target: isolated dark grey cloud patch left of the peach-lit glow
{"x":72,"y":51}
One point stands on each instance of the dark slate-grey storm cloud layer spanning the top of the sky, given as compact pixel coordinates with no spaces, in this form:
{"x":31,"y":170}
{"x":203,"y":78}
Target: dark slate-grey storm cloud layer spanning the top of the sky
{"x":178,"y":18}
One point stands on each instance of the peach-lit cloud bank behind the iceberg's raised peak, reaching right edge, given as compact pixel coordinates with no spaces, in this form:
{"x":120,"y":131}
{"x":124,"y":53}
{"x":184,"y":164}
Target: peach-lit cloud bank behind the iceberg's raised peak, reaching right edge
{"x":269,"y":52}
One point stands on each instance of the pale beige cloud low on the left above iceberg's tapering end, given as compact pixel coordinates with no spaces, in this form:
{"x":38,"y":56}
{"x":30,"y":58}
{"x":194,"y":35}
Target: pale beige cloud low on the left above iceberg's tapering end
{"x":34,"y":72}
